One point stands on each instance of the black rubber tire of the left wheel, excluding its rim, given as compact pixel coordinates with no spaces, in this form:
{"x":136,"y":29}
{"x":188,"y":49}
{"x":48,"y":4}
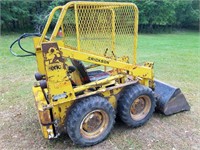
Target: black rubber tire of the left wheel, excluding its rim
{"x":81,"y":108}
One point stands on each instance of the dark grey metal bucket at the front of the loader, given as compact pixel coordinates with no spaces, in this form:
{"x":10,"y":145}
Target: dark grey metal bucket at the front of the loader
{"x":170,"y":99}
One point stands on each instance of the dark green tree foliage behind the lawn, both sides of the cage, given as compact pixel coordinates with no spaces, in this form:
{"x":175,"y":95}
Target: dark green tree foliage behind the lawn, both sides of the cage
{"x":155,"y":15}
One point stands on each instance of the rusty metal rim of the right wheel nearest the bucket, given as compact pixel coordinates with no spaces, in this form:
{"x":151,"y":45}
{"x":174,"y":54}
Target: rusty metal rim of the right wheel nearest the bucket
{"x":140,"y":107}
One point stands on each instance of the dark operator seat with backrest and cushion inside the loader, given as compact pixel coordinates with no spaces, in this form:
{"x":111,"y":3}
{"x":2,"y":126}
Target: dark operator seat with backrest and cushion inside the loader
{"x":87,"y":77}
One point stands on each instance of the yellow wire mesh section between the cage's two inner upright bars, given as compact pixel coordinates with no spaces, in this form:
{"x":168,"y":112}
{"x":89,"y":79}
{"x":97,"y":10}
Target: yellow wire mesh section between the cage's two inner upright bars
{"x":95,"y":28}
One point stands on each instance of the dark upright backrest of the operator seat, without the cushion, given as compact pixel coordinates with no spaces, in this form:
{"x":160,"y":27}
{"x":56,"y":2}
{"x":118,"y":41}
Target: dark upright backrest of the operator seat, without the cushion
{"x":82,"y":70}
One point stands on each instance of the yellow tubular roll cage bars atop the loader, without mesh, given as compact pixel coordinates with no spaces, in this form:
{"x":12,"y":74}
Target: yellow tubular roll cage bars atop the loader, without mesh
{"x":74,"y":4}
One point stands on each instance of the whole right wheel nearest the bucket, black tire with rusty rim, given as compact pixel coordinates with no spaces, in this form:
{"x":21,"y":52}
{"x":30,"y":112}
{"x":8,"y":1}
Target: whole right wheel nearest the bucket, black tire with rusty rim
{"x":136,"y":97}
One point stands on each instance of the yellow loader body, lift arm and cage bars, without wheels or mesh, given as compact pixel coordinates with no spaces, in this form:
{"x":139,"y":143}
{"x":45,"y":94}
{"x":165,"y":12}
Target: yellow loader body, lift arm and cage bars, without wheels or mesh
{"x":61,"y":93}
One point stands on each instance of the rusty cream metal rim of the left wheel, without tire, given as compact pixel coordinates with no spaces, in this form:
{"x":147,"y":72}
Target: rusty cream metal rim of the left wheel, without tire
{"x":94,"y":124}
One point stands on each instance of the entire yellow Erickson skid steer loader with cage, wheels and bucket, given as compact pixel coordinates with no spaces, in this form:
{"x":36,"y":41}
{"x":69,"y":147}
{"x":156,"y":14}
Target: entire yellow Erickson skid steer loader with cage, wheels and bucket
{"x":89,"y":72}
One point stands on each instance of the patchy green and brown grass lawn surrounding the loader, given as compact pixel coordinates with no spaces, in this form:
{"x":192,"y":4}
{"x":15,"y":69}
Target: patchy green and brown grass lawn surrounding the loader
{"x":177,"y":62}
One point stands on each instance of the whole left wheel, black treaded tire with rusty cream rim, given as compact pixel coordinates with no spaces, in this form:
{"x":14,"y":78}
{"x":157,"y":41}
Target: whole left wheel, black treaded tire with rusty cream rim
{"x":90,"y":111}
